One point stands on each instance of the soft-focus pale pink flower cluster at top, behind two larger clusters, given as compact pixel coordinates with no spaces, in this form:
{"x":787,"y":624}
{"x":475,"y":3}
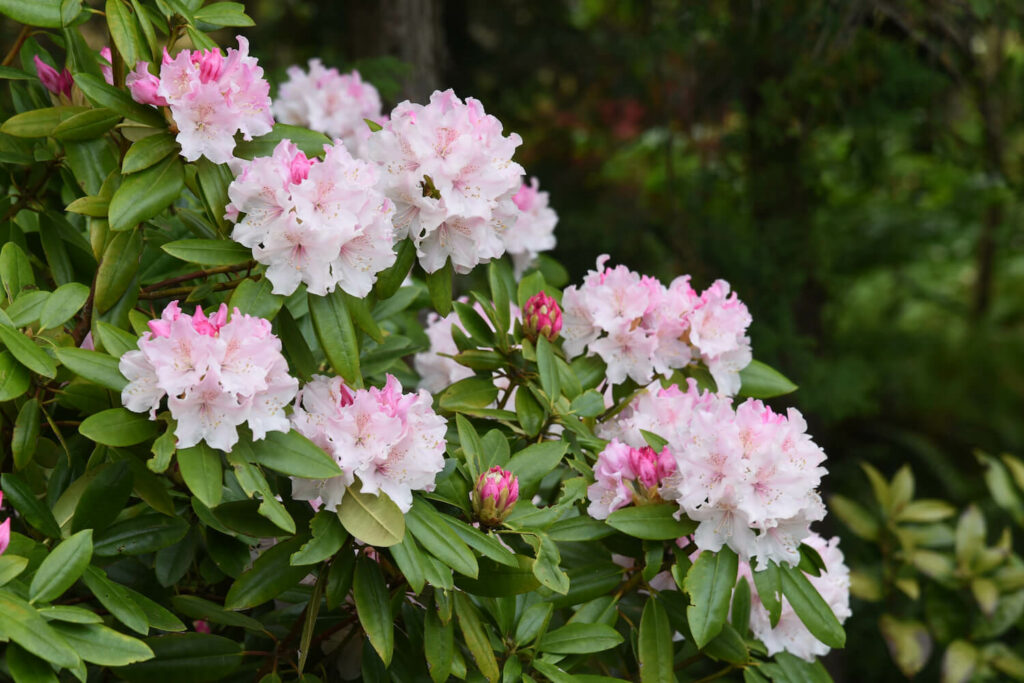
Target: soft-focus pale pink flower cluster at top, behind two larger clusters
{"x":326,"y":101}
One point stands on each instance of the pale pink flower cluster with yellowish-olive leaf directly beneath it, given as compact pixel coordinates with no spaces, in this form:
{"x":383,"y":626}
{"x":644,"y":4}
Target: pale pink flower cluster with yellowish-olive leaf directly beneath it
{"x":393,"y":442}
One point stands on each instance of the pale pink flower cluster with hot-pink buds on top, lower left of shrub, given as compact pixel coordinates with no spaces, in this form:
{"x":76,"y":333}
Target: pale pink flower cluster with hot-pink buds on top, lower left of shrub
{"x":217,"y":375}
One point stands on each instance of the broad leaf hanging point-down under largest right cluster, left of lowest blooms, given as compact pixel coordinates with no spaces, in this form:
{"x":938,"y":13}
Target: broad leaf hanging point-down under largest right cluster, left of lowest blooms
{"x":710,"y":583}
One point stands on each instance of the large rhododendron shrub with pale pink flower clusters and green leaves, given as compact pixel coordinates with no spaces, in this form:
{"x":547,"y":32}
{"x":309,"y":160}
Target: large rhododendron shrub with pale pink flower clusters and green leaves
{"x":260,"y":426}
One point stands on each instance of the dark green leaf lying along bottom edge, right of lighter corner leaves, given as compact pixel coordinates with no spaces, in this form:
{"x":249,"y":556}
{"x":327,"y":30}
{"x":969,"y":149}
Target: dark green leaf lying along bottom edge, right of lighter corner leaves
{"x":197,"y":658}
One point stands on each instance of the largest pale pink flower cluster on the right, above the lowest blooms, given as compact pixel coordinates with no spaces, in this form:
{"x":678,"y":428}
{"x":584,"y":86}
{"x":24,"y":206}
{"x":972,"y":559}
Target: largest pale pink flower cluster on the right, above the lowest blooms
{"x":749,"y":476}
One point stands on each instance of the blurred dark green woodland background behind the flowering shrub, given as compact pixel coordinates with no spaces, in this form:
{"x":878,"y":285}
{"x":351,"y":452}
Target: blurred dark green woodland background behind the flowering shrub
{"x":851,"y":167}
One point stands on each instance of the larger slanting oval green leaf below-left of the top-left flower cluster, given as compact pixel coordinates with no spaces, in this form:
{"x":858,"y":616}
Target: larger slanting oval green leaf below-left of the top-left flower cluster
{"x":144,"y":195}
